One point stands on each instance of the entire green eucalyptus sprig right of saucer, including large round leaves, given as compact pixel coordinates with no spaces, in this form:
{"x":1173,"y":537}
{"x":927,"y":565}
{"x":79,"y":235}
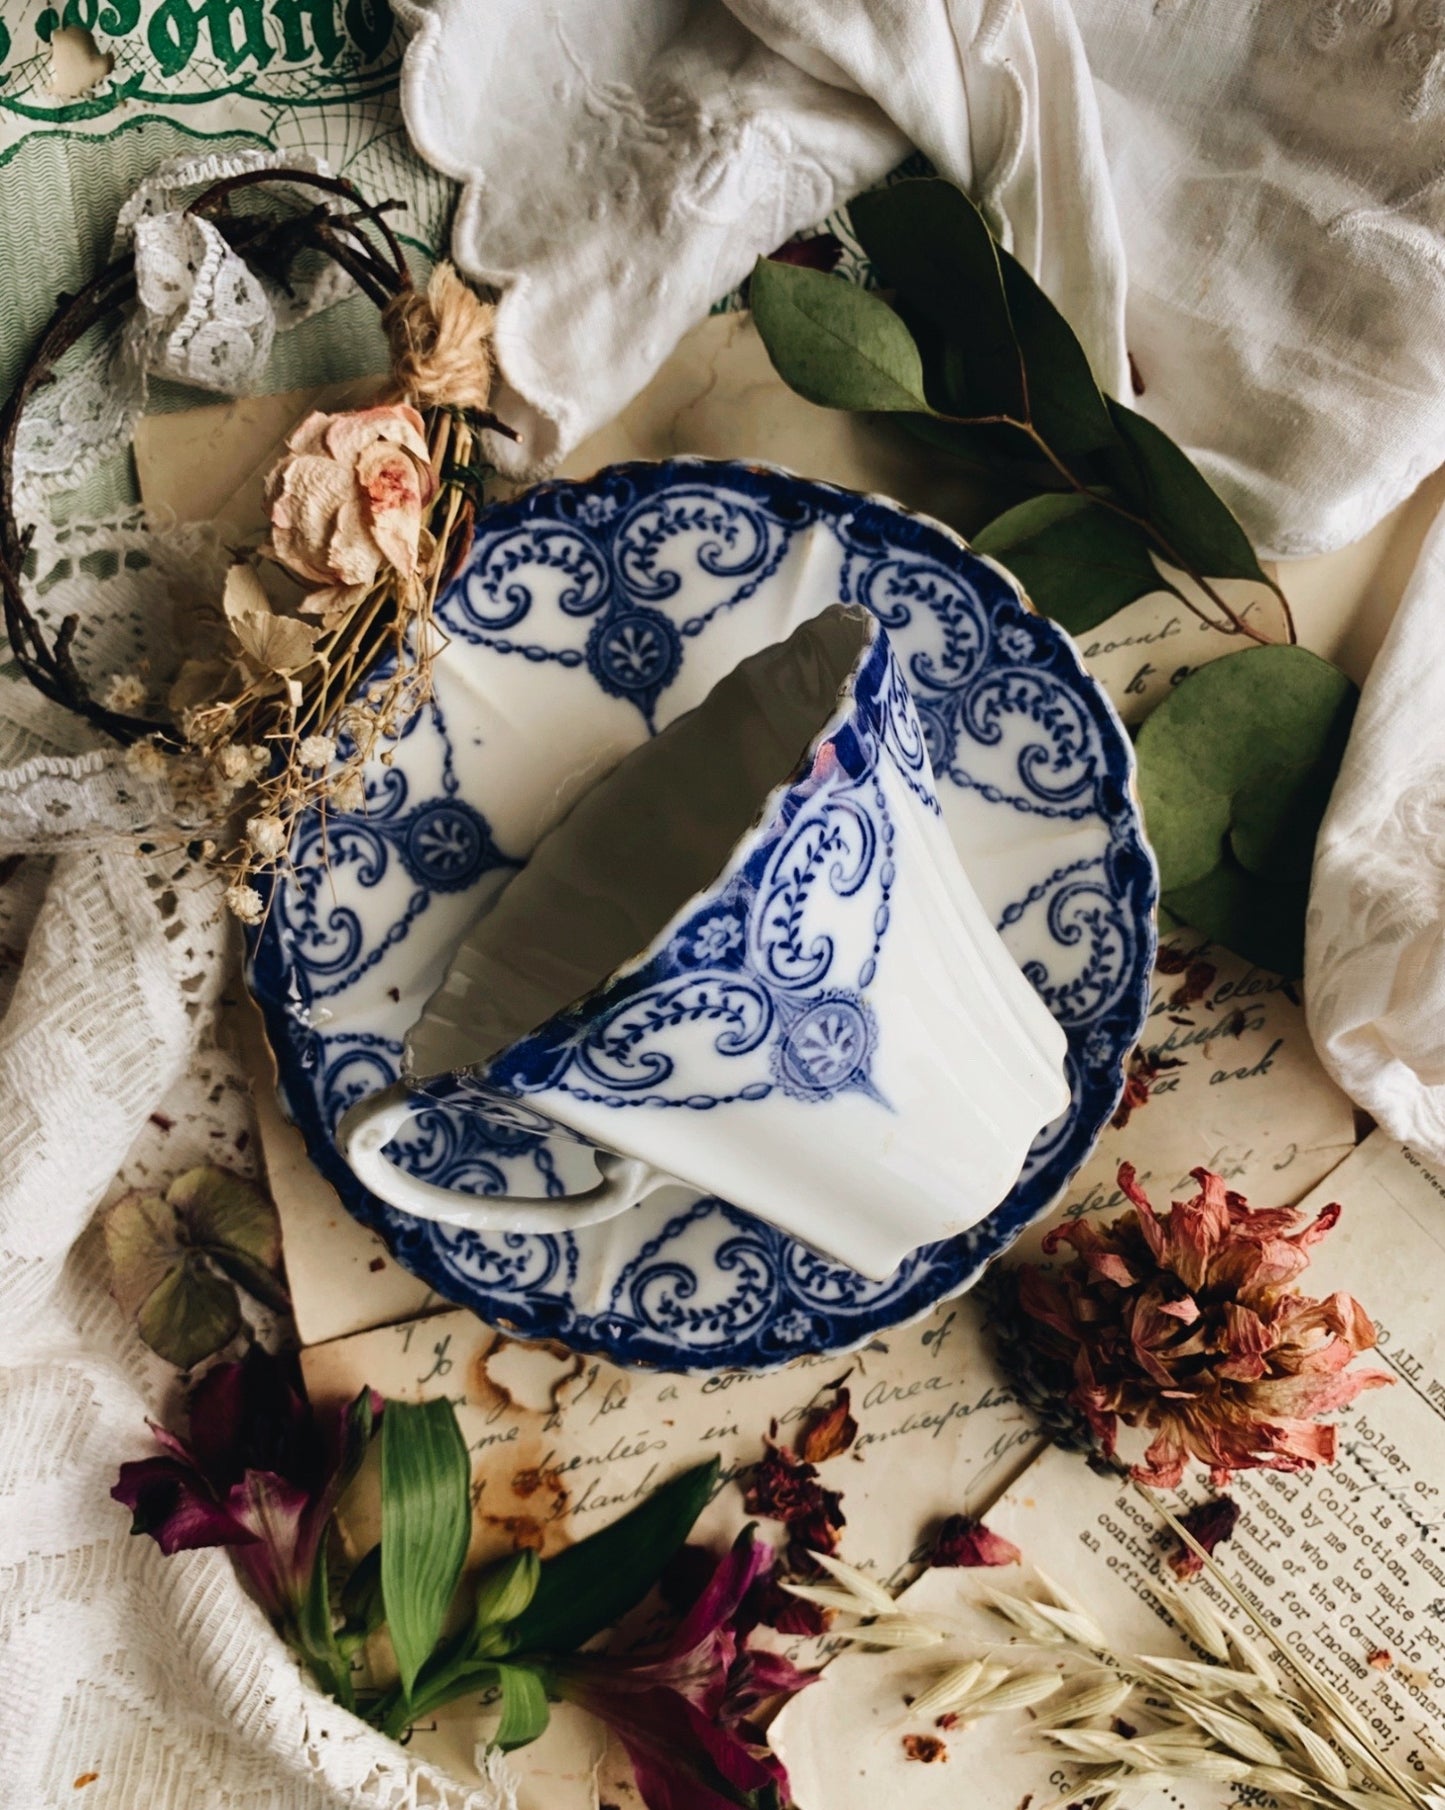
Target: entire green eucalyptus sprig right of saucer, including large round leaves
{"x":970,"y":354}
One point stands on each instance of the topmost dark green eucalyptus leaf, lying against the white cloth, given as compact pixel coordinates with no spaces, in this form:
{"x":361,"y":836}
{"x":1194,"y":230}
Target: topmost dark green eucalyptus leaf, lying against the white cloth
{"x":932,"y":243}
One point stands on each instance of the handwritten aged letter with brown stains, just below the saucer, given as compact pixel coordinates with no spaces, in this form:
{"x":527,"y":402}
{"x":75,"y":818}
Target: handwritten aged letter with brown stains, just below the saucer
{"x":562,"y":1445}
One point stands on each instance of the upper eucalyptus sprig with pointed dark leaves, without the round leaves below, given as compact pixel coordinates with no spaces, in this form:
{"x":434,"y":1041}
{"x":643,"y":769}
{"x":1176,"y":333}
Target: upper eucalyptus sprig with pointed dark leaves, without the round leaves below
{"x":973,"y":356}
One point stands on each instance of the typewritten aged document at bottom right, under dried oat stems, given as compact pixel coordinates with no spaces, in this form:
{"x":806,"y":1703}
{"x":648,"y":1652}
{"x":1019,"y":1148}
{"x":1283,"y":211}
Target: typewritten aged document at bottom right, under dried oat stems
{"x":1346,"y":1570}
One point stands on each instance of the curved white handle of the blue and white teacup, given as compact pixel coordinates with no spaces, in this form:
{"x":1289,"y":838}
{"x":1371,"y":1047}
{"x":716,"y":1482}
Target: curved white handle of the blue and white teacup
{"x":372,"y":1123}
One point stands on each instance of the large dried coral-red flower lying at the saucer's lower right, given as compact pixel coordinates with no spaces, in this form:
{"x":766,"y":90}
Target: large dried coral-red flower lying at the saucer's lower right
{"x":1189,"y":1324}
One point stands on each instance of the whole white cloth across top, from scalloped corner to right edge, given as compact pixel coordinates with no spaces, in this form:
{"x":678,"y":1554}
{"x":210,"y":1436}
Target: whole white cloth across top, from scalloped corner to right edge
{"x":1250,"y":191}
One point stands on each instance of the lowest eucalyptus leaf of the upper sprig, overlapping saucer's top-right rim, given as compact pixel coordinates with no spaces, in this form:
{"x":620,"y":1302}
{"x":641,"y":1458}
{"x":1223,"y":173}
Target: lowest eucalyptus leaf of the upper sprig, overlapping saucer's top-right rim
{"x":1075,"y":560}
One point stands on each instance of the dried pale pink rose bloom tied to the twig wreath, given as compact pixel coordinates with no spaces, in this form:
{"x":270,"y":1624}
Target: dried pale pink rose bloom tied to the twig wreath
{"x":349,"y":500}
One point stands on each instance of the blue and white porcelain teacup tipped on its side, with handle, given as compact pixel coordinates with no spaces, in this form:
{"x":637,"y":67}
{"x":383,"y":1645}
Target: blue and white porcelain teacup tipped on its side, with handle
{"x":749,"y":962}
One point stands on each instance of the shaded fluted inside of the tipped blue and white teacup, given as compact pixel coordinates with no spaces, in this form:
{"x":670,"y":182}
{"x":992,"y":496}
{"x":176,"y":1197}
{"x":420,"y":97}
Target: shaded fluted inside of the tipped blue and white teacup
{"x":608,"y":881}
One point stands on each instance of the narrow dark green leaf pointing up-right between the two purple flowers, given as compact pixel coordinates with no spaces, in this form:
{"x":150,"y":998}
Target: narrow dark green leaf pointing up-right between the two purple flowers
{"x":589,"y":1586}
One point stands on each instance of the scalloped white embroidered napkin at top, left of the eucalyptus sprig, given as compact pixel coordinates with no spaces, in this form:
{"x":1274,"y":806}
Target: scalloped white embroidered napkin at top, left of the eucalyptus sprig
{"x":626,"y":164}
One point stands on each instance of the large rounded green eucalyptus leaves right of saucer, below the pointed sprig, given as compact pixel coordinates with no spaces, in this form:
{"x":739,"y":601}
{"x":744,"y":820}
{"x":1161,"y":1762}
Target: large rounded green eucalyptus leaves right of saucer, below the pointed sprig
{"x":1236,"y":772}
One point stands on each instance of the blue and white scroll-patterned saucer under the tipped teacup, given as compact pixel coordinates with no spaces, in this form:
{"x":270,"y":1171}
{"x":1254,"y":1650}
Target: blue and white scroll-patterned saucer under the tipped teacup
{"x":588,"y":618}
